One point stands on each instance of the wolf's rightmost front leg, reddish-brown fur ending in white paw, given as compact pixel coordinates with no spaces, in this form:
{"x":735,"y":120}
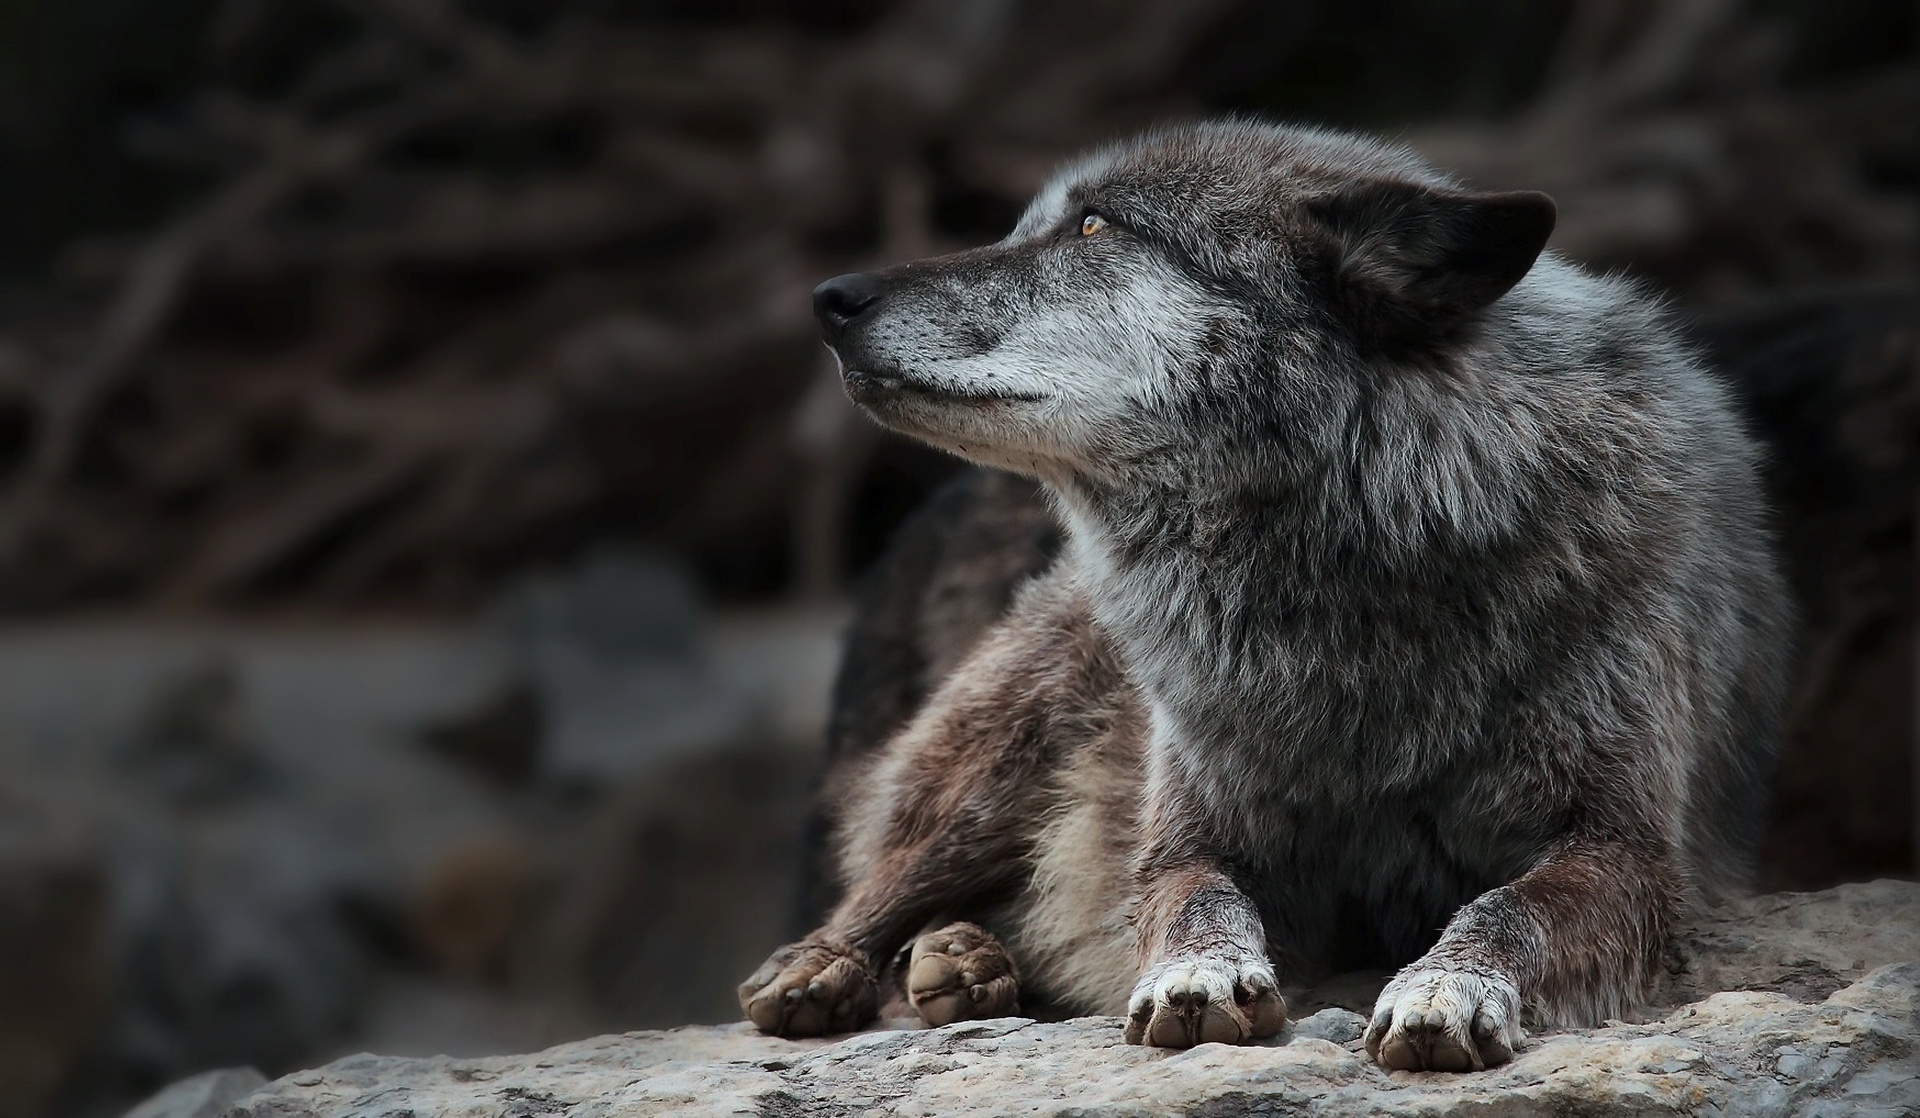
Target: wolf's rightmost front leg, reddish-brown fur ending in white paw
{"x":1577,"y":938}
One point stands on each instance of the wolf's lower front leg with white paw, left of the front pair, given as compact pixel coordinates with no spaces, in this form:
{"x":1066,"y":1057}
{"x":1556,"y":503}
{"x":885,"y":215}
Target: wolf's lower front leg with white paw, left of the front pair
{"x":1207,"y":977}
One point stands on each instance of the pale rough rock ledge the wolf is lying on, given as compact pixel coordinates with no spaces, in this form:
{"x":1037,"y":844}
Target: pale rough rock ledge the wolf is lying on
{"x":1819,"y":1015}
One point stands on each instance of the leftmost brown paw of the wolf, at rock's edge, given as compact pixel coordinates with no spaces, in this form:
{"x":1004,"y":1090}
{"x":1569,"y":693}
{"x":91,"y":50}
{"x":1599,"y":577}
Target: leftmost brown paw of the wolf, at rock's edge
{"x":811,"y":990}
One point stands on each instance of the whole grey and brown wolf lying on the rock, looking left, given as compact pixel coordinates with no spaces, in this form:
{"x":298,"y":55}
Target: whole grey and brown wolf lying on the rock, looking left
{"x":1414,"y":602}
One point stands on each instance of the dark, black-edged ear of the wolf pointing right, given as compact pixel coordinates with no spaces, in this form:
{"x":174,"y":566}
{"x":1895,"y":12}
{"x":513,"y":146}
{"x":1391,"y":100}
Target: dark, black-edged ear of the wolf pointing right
{"x":1422,"y":260}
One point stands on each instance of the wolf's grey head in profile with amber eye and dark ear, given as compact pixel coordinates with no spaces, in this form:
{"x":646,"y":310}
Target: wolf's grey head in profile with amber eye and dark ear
{"x":1180,"y":304}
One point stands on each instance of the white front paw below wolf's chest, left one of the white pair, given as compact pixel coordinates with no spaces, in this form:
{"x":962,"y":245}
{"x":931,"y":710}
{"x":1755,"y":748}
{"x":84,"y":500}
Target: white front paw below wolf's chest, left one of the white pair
{"x":1195,"y":1000}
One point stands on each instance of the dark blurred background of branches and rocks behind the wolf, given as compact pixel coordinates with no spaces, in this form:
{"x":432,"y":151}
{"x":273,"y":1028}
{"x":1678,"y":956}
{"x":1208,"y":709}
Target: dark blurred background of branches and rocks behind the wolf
{"x":427,"y":514}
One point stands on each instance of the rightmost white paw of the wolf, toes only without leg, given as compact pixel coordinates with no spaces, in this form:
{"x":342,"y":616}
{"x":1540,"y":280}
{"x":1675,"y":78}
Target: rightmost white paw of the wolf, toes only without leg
{"x":1445,"y":1021}
